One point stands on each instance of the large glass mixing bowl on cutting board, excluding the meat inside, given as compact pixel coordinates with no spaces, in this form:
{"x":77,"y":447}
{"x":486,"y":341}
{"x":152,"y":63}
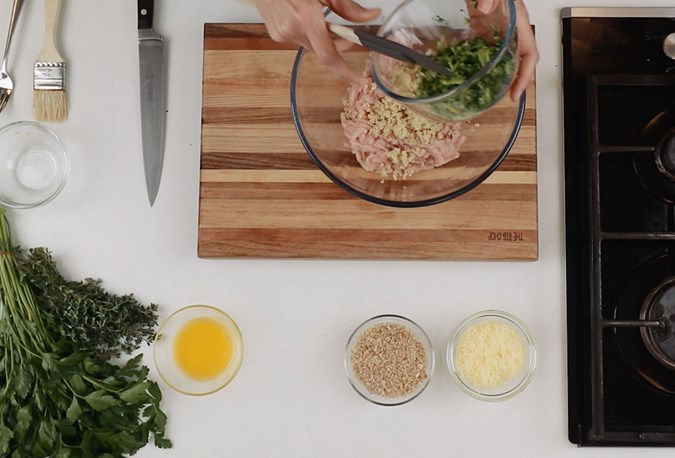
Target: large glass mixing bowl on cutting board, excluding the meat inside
{"x":317,"y":97}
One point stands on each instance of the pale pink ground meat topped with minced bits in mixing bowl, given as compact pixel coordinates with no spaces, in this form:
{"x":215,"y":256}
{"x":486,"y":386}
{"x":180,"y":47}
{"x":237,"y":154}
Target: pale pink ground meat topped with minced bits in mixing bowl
{"x":389,"y":139}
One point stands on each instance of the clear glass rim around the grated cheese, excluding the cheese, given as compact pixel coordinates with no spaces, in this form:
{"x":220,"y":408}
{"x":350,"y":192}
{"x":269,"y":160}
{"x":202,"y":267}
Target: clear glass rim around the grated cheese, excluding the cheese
{"x":512,"y":386}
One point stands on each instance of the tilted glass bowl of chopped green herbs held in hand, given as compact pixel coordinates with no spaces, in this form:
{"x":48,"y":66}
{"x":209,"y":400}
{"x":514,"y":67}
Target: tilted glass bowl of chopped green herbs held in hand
{"x":480,"y":50}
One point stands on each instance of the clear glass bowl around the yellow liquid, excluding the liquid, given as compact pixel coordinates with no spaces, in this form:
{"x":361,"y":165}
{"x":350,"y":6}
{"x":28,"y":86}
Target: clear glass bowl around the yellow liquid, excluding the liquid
{"x":164,"y":352}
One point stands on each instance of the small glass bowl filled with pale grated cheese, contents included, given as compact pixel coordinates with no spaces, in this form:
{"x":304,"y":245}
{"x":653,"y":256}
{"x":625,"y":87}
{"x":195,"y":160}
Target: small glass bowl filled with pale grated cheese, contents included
{"x":492,"y":355}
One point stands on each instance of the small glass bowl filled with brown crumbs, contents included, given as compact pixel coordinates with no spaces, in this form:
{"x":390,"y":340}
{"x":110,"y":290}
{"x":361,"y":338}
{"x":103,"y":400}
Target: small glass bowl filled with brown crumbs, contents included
{"x":389,"y":360}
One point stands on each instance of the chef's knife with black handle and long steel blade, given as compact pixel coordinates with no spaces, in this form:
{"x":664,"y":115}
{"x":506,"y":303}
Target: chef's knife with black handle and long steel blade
{"x":153,"y":103}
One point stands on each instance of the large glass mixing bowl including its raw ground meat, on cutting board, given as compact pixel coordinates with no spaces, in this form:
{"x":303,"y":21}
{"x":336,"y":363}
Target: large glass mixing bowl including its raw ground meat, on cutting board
{"x":381,"y":150}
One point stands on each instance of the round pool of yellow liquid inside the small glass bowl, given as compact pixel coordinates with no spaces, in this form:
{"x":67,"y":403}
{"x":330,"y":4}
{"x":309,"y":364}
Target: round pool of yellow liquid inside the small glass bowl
{"x":203,"y":348}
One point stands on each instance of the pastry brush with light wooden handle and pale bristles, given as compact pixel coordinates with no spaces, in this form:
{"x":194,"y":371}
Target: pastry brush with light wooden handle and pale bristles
{"x":49,"y":72}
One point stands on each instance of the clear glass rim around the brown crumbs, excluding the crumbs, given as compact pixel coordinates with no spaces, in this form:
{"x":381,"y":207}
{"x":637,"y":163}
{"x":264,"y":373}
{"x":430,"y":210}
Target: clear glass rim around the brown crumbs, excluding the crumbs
{"x":415,"y":330}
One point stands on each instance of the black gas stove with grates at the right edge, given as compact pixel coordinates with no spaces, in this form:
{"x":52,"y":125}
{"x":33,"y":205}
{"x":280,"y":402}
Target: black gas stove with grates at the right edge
{"x":619,"y":146}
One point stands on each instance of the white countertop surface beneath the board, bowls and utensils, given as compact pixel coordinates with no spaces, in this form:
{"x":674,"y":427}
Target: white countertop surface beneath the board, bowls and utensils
{"x":291,"y":397}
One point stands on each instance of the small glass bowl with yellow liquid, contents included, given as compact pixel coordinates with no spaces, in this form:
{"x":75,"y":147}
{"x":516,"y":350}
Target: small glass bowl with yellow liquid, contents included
{"x":198,"y":350}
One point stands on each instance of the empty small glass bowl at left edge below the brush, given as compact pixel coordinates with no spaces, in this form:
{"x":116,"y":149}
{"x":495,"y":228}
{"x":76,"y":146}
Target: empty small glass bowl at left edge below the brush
{"x":34,"y":165}
